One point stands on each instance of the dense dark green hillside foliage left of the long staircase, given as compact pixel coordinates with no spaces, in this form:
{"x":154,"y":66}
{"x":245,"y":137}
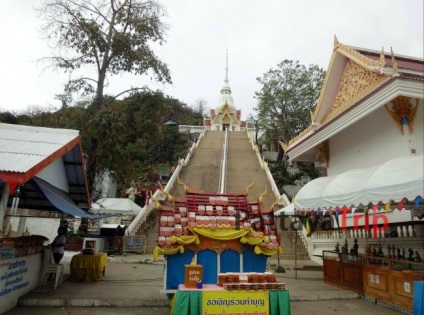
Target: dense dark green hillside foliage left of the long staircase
{"x":131,"y":140}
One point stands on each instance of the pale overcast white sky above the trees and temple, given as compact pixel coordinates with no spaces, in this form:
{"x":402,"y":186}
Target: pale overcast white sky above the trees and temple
{"x":257,"y":34}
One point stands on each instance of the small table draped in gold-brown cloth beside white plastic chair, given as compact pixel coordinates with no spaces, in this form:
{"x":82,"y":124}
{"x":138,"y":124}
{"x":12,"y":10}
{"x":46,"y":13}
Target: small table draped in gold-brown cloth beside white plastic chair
{"x":88,"y":267}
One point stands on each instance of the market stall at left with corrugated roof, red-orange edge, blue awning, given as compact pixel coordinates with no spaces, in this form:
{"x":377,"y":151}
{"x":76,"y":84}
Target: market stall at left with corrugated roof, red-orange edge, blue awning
{"x":41,"y":175}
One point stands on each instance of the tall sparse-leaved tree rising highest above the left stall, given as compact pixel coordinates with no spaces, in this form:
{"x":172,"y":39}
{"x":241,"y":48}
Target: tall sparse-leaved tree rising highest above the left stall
{"x":111,"y":35}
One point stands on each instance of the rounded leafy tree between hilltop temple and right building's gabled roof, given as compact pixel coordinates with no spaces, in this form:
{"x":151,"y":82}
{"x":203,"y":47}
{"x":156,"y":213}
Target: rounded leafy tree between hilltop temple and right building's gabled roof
{"x":288,"y":95}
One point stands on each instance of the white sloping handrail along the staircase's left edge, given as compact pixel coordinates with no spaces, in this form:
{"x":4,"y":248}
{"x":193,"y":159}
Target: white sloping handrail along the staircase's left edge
{"x":141,"y":217}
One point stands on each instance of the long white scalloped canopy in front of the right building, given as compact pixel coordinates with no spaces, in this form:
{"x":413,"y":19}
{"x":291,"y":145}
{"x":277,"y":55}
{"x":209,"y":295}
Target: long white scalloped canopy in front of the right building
{"x":392,"y":181}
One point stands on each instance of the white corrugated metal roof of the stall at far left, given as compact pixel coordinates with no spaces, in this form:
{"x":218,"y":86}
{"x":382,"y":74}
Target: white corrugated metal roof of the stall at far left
{"x":23,"y":147}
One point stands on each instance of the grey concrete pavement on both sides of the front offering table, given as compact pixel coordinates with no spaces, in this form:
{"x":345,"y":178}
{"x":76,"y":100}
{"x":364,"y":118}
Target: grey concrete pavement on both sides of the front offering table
{"x":132,"y":284}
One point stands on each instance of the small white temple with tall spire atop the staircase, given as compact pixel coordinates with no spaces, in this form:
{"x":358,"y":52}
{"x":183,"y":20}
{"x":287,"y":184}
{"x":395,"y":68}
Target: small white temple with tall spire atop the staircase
{"x":225,"y":115}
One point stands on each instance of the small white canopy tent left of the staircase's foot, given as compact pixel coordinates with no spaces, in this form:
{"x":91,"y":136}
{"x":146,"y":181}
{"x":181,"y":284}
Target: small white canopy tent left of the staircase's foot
{"x":124,"y":206}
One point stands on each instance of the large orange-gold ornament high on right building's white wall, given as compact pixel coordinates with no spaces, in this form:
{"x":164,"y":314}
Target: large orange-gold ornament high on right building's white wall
{"x":403,"y":112}
